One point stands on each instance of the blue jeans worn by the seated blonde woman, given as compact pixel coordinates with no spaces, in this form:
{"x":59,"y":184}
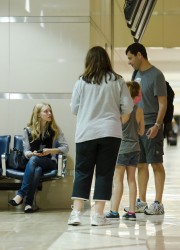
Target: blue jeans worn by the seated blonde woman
{"x":35,"y":168}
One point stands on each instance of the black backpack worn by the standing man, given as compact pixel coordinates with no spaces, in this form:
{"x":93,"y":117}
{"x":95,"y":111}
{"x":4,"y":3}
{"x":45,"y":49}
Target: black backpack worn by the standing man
{"x":170,"y":106}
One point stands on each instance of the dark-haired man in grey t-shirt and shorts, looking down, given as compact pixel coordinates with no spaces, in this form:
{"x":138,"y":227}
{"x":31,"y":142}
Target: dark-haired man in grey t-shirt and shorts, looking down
{"x":154,"y":104}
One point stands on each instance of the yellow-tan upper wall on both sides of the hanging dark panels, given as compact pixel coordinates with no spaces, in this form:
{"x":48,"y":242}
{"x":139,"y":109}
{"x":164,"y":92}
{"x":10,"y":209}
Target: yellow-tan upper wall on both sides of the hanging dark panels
{"x":162,"y":29}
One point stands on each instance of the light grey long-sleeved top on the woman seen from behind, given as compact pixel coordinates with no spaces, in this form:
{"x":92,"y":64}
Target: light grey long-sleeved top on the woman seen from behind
{"x":98,"y":108}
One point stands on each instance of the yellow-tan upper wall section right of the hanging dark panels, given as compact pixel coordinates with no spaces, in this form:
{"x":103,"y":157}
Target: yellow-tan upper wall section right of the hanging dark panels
{"x":162,"y":30}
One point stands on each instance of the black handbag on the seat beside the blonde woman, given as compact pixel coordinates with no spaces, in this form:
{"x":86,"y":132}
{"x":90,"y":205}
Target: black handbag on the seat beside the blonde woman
{"x":16,"y":160}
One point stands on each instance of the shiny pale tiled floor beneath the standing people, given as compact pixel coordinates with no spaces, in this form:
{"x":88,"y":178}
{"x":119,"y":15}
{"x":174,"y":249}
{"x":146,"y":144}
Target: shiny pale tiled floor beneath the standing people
{"x":48,"y":229}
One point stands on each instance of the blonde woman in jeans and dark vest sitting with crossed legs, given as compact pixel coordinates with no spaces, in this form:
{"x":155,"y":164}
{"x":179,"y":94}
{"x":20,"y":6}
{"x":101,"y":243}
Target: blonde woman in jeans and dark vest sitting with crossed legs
{"x":43,"y":139}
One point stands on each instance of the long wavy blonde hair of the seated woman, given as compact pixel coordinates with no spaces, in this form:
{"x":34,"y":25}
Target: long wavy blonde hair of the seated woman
{"x":35,"y":125}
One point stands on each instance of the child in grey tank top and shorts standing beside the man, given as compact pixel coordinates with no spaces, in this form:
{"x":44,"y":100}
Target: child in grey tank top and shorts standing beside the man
{"x":128,"y":156}
